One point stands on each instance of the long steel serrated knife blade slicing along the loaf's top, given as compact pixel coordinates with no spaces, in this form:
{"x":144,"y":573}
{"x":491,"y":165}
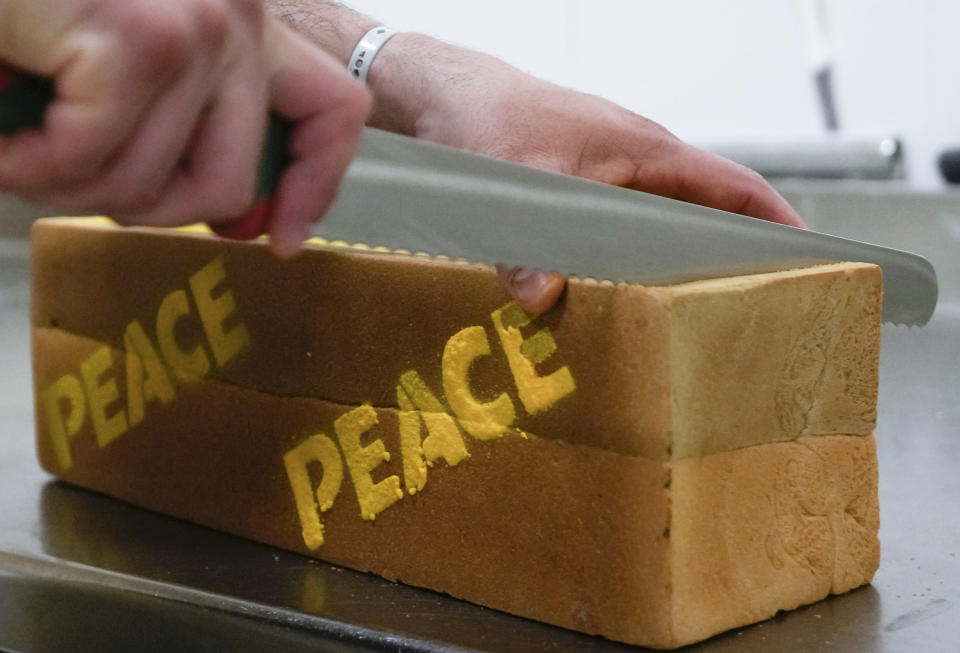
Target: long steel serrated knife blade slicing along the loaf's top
{"x":408,"y":194}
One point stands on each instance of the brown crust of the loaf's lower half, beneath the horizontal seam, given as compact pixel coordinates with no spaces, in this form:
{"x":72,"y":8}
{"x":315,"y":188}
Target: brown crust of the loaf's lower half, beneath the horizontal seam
{"x":658,"y":553}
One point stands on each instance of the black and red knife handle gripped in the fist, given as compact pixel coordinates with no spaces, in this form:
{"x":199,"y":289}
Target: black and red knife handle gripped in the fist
{"x":25,"y":97}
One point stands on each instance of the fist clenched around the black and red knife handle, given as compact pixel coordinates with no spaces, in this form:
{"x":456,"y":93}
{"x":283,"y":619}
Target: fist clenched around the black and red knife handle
{"x":161,"y":109}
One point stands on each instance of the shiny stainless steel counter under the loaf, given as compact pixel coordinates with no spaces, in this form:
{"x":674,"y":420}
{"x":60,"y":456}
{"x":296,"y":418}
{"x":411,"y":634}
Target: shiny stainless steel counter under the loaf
{"x":80,"y":571}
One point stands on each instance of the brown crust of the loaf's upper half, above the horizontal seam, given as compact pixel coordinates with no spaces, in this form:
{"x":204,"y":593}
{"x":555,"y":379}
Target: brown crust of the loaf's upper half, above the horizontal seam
{"x":663,"y":372}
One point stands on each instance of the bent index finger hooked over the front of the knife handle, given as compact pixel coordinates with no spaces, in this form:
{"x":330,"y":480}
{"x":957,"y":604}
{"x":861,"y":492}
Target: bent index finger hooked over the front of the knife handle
{"x":329,"y":109}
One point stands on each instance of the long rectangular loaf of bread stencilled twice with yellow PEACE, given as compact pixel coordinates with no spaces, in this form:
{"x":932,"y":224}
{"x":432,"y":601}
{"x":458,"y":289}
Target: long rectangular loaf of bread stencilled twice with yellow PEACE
{"x":651,"y":464}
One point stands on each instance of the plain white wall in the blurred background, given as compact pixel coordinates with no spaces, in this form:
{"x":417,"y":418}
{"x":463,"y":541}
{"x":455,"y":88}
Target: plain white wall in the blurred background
{"x":726,"y":71}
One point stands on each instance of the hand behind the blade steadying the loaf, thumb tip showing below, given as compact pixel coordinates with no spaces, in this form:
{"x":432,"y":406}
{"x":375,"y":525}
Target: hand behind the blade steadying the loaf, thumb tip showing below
{"x":475,"y":102}
